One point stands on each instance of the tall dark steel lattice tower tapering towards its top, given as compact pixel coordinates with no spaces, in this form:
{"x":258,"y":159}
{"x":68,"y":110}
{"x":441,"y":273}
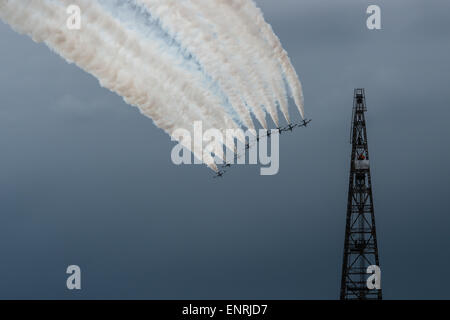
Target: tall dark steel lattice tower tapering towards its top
{"x":360,"y":247}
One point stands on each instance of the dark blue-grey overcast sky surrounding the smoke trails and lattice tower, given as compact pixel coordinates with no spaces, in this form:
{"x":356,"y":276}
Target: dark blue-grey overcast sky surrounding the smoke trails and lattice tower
{"x":87,"y":180}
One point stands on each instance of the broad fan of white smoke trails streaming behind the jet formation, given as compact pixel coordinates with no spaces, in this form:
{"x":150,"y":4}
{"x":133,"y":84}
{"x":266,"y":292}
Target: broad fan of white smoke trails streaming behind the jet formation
{"x":177,"y":61}
